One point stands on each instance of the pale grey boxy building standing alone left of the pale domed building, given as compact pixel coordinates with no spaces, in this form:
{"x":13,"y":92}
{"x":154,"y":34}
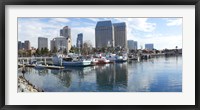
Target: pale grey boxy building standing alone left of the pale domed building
{"x":42,"y":43}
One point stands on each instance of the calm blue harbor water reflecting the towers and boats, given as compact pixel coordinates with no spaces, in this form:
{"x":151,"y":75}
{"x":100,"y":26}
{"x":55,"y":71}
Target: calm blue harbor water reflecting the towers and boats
{"x":162,"y":74}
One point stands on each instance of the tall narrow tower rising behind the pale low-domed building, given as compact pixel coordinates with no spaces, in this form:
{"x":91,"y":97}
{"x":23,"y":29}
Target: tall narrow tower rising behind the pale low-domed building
{"x":66,"y":32}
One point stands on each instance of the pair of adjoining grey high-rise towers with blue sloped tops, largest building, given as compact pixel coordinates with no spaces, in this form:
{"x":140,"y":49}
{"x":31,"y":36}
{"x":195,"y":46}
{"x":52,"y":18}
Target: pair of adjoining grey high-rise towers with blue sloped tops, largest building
{"x":110,"y":35}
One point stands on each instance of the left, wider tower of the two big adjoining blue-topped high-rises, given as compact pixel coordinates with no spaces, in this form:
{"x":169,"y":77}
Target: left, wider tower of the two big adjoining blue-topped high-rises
{"x":104,"y":34}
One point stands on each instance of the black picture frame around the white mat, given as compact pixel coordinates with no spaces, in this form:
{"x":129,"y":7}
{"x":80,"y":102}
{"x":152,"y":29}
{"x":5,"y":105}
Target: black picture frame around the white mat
{"x":99,"y":2}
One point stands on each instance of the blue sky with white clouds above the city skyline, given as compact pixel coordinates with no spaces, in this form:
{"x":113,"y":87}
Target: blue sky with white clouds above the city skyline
{"x":162,"y":32}
